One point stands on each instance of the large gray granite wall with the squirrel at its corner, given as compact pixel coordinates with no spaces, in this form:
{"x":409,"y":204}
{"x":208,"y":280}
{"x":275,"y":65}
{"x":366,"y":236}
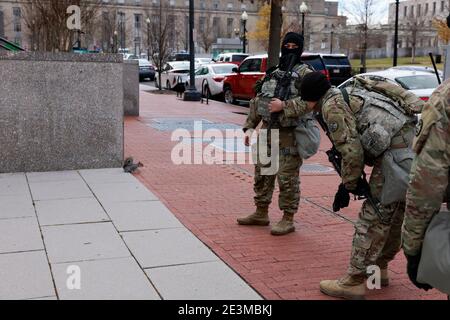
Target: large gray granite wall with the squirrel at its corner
{"x":60,"y":111}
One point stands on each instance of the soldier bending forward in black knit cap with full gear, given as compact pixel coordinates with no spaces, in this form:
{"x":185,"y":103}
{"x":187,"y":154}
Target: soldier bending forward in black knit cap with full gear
{"x":365,"y":135}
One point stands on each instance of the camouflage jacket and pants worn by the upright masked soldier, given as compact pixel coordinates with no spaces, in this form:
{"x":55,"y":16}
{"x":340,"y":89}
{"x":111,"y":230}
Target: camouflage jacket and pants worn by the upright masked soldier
{"x":289,"y":159}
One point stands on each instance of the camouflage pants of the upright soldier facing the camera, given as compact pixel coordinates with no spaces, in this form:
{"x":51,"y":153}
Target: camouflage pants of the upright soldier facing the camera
{"x":287,"y":177}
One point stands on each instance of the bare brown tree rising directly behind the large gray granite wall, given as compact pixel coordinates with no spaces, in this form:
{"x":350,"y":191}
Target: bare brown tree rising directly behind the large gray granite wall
{"x":47,"y":22}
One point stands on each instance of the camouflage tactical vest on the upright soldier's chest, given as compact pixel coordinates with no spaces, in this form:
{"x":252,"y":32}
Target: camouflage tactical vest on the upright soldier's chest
{"x":268,"y":92}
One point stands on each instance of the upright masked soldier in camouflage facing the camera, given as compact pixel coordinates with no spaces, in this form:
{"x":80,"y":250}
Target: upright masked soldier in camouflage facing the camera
{"x":289,"y":159}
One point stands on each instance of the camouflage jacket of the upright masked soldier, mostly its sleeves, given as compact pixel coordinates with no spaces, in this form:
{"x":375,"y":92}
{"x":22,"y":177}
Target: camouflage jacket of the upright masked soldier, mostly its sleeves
{"x":292,"y":109}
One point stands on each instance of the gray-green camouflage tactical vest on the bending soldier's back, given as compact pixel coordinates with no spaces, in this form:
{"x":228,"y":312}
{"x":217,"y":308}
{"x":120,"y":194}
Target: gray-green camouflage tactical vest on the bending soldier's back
{"x":378,"y":120}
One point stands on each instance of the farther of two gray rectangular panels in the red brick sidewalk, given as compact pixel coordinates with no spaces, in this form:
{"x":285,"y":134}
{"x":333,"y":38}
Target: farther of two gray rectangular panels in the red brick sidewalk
{"x":172,"y":124}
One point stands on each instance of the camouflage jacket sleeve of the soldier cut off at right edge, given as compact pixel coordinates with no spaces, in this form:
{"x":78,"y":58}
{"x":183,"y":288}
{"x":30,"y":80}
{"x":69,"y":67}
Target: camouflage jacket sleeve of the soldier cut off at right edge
{"x":429,"y":176}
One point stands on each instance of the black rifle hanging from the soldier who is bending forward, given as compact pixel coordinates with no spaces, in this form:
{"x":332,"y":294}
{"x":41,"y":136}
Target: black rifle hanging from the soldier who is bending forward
{"x":362,"y":191}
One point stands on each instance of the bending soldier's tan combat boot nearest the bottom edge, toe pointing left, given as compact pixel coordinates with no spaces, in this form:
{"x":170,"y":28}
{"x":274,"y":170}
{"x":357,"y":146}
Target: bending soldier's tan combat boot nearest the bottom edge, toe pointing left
{"x":349,"y":287}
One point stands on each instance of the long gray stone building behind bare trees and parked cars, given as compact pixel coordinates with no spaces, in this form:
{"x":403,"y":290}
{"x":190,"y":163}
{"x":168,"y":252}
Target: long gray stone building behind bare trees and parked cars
{"x":220,"y":19}
